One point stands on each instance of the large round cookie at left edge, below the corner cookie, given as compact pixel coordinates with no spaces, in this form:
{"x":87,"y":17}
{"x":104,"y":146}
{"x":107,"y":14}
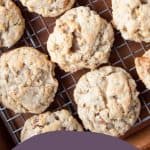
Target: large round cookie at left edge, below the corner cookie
{"x":27,"y":82}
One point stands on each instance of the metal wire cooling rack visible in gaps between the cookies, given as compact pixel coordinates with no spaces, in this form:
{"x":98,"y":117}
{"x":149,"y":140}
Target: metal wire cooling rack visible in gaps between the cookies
{"x":123,"y":54}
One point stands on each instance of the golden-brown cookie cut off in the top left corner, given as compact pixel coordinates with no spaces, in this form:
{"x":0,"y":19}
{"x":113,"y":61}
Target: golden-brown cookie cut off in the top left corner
{"x":12,"y":24}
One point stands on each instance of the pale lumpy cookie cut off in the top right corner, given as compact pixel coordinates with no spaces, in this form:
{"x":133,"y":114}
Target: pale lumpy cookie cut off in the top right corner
{"x":132,"y":18}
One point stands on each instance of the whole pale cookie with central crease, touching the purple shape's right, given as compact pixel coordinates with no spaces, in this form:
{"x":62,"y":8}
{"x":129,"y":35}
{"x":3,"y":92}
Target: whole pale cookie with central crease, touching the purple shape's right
{"x":107,"y":101}
